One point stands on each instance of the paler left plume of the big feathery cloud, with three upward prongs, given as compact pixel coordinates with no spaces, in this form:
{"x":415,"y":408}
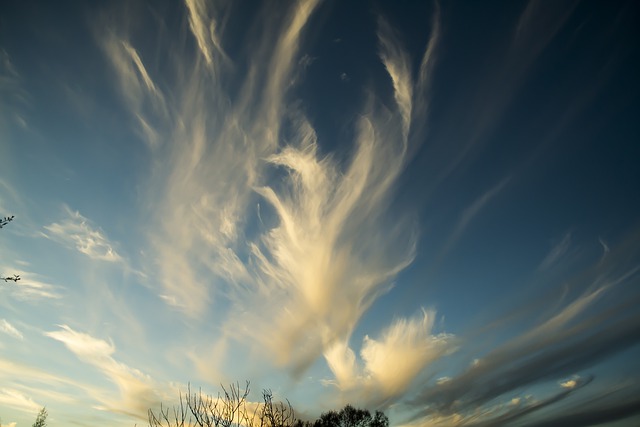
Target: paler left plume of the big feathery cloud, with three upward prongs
{"x":213,"y":149}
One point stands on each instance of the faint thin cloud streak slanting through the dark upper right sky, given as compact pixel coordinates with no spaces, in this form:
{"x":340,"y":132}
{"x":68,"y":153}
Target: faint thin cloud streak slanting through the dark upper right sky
{"x":491,"y":89}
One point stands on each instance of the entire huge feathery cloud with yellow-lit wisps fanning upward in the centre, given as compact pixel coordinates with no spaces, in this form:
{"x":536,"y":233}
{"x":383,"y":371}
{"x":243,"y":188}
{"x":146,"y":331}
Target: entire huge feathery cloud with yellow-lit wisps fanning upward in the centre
{"x":327,"y":248}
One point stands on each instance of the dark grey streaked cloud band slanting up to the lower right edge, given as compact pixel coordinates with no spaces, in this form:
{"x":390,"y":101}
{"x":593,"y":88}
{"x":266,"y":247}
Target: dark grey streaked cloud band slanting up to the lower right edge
{"x":573,"y":337}
